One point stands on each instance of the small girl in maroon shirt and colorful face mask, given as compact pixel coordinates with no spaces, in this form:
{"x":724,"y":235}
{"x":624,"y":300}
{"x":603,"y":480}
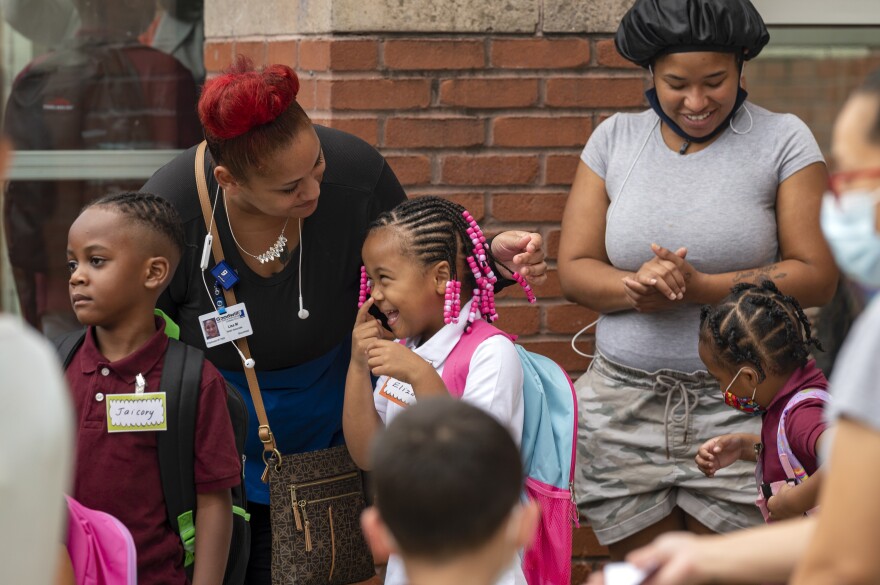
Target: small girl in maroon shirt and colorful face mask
{"x":756,"y":343}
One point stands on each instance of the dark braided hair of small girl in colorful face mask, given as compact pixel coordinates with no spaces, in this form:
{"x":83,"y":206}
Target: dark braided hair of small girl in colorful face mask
{"x":759,"y":325}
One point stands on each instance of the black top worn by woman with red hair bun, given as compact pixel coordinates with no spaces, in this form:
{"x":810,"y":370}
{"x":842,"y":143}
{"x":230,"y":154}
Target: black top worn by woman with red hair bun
{"x":358,"y":185}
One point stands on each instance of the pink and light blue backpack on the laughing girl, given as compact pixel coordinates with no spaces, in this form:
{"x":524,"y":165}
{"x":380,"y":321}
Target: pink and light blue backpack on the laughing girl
{"x":548,"y":448}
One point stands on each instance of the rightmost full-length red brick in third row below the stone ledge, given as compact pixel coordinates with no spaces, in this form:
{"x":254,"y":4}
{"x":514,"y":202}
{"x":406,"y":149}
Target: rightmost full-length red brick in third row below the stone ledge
{"x":521,"y":131}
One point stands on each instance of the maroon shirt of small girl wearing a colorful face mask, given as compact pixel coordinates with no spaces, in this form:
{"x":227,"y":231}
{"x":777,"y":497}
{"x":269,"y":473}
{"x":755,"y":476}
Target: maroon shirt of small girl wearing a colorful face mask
{"x":803,"y":424}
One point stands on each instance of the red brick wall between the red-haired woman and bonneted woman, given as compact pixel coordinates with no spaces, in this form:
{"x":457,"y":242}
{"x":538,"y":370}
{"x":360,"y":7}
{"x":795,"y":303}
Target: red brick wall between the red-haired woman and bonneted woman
{"x":494,"y":123}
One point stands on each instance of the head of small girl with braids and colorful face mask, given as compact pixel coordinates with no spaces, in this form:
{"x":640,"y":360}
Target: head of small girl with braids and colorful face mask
{"x":753,"y":341}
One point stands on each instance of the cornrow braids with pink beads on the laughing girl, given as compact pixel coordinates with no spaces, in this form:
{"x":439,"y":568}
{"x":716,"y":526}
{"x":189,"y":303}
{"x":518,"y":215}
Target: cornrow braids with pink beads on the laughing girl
{"x":436,"y":230}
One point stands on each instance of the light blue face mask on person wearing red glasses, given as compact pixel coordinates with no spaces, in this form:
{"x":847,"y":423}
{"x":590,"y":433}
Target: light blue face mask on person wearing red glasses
{"x":849,"y":227}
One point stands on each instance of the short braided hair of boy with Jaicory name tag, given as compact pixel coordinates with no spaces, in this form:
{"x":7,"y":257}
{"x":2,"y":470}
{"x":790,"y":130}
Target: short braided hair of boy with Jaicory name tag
{"x":153,"y":212}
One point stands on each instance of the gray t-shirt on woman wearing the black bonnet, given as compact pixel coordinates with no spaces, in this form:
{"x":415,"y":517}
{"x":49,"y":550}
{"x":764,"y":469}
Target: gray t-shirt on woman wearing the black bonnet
{"x":719,"y":202}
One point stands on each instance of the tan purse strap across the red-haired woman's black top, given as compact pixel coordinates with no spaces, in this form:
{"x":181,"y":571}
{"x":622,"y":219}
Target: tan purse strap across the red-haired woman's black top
{"x":263,"y":431}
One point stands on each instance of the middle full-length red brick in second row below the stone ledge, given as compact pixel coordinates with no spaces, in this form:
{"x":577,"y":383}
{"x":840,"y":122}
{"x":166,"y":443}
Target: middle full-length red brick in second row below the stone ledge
{"x":489,"y":93}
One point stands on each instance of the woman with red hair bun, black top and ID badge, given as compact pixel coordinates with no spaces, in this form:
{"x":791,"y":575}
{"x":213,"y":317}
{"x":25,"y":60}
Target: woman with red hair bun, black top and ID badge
{"x":291,"y":203}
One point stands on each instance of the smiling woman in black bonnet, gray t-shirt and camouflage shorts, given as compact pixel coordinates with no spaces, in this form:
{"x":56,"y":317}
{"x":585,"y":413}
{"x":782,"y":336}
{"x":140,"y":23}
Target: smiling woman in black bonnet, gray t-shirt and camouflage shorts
{"x":669,"y":209}
